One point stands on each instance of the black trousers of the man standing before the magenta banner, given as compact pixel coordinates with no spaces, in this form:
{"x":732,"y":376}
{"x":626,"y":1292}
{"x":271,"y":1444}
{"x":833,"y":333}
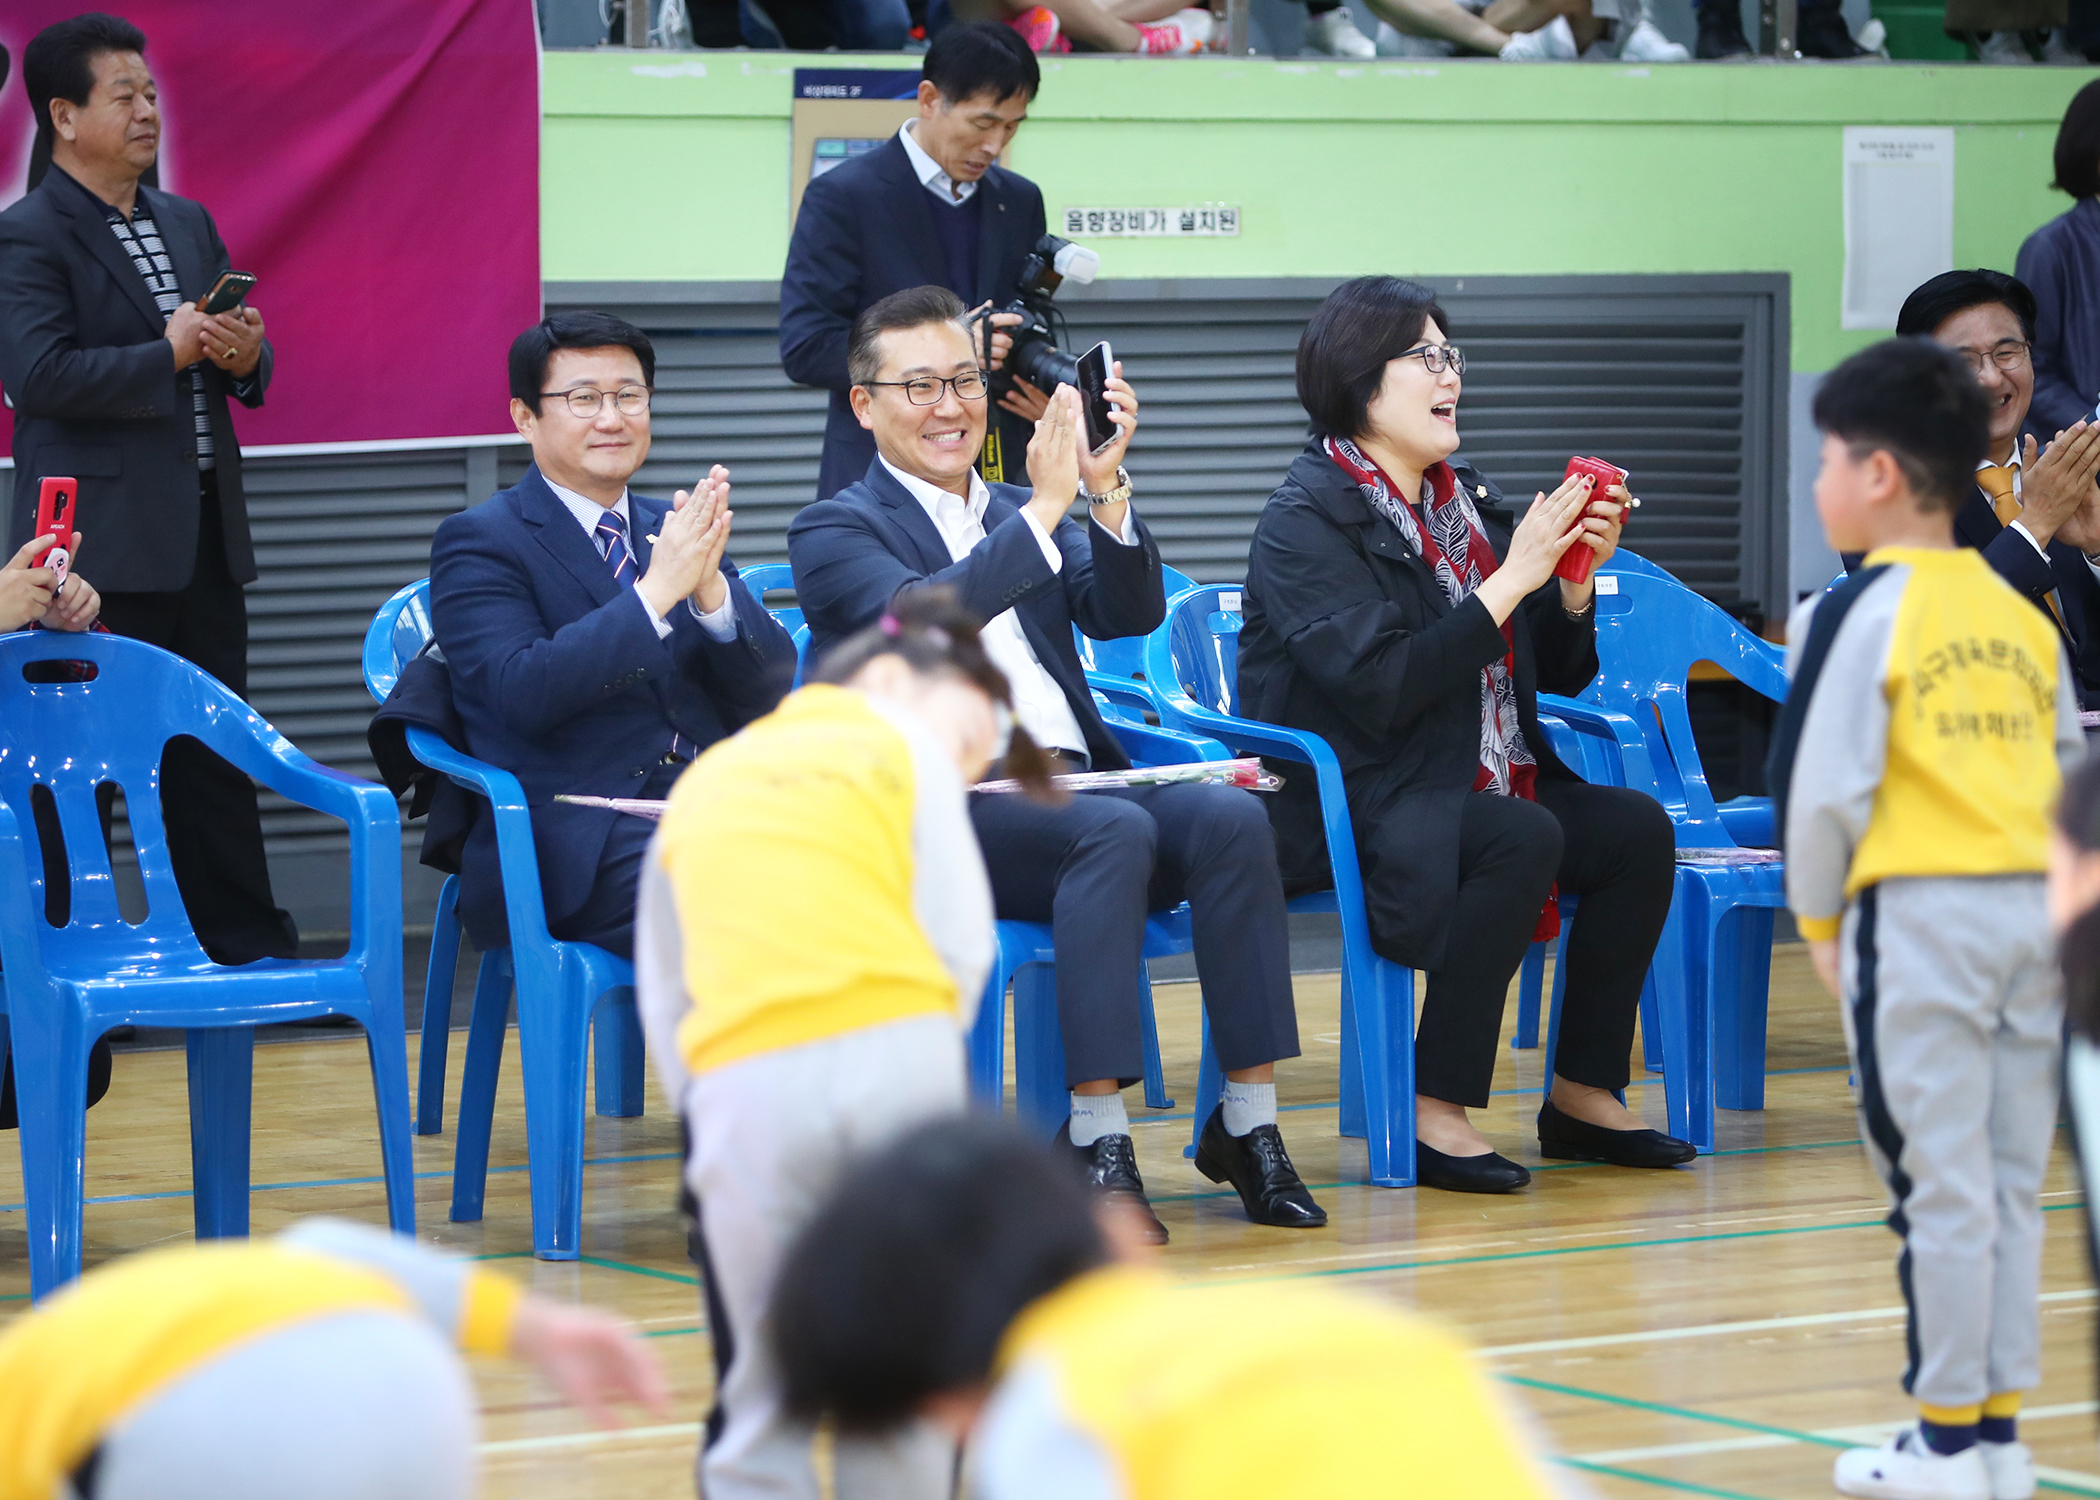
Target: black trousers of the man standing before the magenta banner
{"x":215,"y":831}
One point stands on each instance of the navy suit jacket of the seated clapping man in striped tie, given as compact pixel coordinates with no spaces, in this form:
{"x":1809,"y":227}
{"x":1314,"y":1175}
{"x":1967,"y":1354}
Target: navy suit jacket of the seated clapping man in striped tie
{"x":562,"y":680}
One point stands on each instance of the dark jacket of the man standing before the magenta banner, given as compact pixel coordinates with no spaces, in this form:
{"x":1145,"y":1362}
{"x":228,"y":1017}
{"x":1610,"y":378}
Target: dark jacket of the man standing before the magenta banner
{"x":96,"y":390}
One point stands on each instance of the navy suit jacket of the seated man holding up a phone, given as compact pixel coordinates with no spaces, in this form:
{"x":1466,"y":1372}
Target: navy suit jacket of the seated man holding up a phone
{"x":873,"y":541}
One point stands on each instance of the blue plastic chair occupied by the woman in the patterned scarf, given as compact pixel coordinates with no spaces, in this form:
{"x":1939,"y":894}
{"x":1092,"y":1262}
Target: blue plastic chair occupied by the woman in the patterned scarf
{"x":1194,"y":667}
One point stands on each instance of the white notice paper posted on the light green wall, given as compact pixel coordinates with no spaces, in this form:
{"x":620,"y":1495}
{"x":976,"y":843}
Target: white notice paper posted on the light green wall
{"x":1899,"y":217}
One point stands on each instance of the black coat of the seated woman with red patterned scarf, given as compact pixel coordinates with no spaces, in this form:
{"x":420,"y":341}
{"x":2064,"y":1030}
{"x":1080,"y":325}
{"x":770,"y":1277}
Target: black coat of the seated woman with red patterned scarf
{"x":1349,"y":638}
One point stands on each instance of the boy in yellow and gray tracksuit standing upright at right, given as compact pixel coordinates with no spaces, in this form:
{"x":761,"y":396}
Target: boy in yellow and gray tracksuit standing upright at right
{"x":1916,"y":764}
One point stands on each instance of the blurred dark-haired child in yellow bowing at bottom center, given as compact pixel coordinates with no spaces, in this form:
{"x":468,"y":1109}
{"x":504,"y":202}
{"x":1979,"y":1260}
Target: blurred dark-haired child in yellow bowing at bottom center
{"x":959,"y":1276}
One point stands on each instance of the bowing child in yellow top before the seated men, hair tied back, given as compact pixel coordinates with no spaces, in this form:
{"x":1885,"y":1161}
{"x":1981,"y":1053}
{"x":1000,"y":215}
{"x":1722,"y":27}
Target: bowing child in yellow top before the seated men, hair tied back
{"x":814,"y":934}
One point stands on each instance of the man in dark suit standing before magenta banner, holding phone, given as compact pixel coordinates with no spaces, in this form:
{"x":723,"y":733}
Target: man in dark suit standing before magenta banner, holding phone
{"x":123,"y":383}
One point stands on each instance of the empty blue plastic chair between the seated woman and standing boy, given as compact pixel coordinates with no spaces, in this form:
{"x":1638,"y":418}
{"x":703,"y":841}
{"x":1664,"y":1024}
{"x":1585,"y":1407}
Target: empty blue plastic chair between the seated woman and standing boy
{"x":1715,"y":965}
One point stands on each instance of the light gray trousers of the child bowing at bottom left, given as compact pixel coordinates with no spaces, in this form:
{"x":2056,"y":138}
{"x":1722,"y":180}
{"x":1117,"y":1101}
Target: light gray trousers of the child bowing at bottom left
{"x":337,"y":1409}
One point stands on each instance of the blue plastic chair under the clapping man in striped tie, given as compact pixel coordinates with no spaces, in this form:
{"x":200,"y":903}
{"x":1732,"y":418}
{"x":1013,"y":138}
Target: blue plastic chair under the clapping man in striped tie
{"x":568,"y":993}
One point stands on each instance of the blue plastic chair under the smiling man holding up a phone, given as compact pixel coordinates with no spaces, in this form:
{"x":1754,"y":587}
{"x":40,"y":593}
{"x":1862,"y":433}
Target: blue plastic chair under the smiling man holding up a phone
{"x":1026,"y":961}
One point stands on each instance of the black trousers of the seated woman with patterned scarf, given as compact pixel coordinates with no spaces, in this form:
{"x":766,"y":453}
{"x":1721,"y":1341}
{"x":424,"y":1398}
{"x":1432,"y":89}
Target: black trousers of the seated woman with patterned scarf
{"x":1608,"y":846}
